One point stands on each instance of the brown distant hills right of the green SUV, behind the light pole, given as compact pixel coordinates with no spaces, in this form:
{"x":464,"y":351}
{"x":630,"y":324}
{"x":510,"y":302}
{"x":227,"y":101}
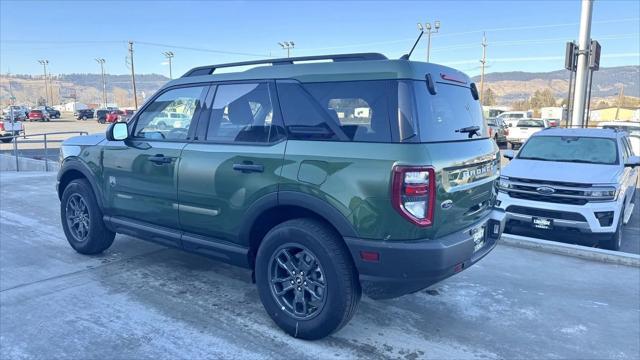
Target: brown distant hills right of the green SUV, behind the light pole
{"x":519,"y":85}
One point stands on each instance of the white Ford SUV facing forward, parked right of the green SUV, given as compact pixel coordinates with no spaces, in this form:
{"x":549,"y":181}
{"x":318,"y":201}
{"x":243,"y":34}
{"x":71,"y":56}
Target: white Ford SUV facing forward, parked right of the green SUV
{"x":577,"y":180}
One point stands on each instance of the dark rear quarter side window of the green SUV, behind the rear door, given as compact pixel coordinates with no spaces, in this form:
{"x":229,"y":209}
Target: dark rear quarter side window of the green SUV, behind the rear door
{"x":339,"y":111}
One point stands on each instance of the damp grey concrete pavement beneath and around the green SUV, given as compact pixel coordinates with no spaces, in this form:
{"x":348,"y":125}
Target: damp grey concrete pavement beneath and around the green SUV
{"x":140,"y":300}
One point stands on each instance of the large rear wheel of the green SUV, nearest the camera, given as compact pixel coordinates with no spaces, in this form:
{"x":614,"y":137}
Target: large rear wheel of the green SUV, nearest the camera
{"x":306,"y":279}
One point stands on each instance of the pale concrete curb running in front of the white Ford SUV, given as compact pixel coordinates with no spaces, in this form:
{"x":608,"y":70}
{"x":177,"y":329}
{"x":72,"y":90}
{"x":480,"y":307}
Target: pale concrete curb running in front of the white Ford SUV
{"x":578,"y":251}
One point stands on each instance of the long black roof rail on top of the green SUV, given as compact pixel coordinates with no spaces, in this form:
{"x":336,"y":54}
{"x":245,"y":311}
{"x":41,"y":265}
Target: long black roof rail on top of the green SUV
{"x":209,"y":69}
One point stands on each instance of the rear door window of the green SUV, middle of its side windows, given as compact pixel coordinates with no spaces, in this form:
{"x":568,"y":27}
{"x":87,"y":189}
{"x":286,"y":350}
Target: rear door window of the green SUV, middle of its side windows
{"x":242,"y":113}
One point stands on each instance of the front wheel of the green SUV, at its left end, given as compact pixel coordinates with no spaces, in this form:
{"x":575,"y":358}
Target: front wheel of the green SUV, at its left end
{"x":82,"y":219}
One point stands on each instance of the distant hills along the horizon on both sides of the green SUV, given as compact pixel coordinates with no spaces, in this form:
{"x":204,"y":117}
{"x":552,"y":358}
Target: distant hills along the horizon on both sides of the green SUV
{"x":508,"y":86}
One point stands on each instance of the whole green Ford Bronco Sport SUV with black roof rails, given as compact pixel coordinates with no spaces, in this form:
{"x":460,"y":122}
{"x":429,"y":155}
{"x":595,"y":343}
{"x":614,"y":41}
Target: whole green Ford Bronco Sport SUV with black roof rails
{"x":328,"y":176}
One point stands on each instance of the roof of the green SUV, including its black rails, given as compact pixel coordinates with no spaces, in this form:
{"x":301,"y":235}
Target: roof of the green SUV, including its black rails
{"x":348,"y":67}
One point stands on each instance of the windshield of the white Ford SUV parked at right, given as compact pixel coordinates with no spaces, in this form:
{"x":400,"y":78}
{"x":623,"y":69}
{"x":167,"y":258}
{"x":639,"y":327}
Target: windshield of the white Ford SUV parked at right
{"x":570,"y":149}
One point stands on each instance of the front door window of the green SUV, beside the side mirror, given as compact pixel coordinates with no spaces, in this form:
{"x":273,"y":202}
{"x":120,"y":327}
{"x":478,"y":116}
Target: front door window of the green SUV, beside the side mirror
{"x":169,"y":116}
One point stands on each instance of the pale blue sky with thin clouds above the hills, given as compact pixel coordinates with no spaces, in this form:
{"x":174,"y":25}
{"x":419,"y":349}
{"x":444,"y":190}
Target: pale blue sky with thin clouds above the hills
{"x":522,"y":35}
